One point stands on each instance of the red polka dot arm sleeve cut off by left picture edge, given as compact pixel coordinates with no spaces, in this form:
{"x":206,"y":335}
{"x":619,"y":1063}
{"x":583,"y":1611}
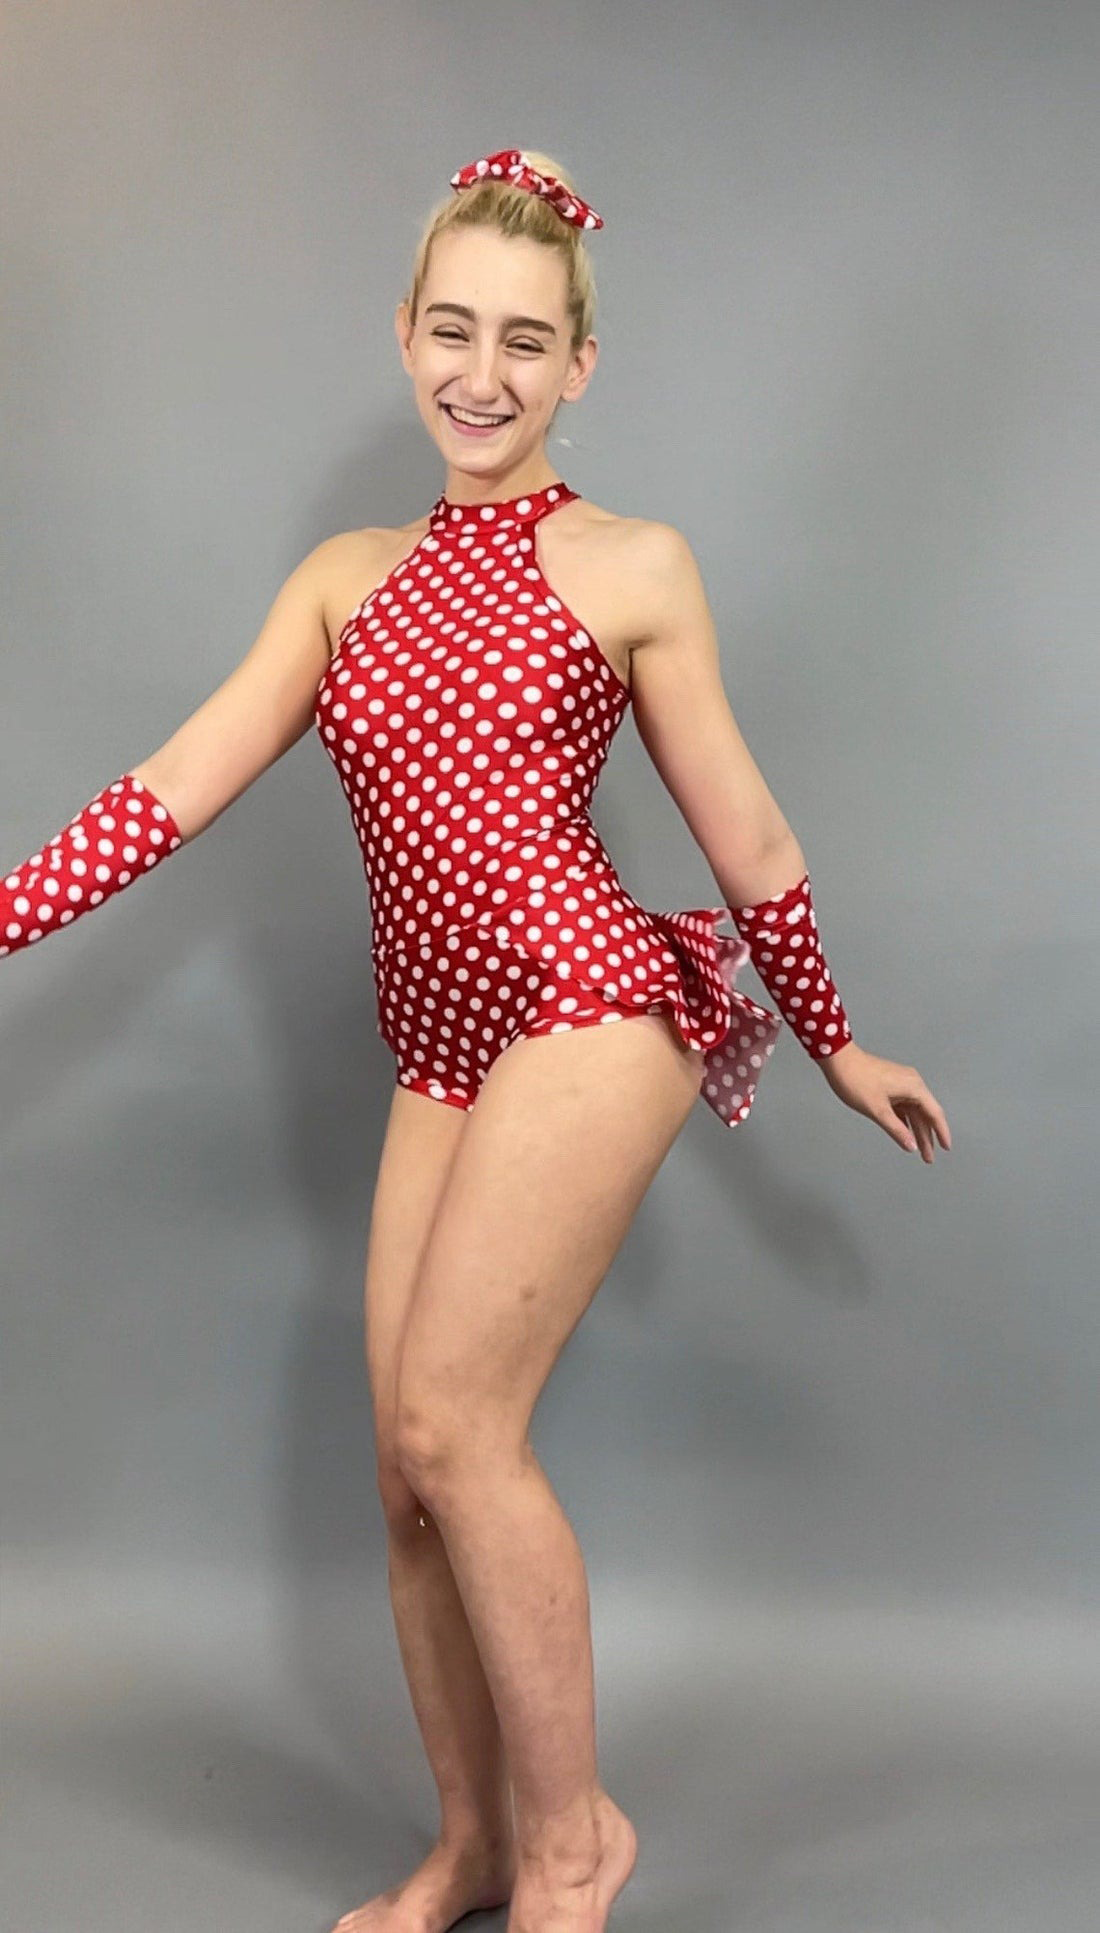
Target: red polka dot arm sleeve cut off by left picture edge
{"x":111,"y":844}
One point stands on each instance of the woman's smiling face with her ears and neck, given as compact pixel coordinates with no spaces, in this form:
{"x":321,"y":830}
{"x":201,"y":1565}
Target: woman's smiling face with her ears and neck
{"x":492,"y":339}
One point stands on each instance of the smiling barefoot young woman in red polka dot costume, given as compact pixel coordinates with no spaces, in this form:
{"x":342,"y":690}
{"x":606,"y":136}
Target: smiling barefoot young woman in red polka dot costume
{"x":550,"y":1035}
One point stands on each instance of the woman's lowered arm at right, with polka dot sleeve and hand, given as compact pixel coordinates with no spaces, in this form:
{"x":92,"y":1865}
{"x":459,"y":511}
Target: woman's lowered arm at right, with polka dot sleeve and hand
{"x":687,"y":726}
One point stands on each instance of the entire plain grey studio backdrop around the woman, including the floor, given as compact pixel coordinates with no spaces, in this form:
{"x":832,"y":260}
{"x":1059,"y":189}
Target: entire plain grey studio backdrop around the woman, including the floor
{"x":828,"y":1435}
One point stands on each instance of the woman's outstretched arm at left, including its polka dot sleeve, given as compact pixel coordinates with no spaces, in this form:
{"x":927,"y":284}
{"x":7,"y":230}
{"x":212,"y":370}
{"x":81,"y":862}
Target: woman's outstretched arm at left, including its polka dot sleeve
{"x":169,"y":799}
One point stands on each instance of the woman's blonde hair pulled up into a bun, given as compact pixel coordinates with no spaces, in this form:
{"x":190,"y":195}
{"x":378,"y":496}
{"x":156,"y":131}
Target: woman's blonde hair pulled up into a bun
{"x":517,"y":212}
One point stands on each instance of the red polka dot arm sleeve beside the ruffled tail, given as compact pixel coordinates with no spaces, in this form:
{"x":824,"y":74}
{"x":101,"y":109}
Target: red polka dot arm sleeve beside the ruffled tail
{"x":782,"y":935}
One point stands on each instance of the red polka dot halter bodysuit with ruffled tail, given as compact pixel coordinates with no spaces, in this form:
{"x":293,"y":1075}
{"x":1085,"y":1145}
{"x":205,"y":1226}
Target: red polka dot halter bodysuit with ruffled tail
{"x":469,"y":716}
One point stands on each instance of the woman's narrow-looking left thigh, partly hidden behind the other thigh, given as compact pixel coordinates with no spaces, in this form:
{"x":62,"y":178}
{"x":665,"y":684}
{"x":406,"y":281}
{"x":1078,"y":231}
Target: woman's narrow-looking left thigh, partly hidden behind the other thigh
{"x":417,"y":1159}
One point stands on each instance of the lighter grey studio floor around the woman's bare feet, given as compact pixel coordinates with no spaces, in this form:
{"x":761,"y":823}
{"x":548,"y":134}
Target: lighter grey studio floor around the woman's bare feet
{"x":194,"y":1752}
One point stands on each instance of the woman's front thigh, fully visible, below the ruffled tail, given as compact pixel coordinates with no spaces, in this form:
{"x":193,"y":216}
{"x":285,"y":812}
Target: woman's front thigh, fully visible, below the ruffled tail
{"x":558,"y":1153}
